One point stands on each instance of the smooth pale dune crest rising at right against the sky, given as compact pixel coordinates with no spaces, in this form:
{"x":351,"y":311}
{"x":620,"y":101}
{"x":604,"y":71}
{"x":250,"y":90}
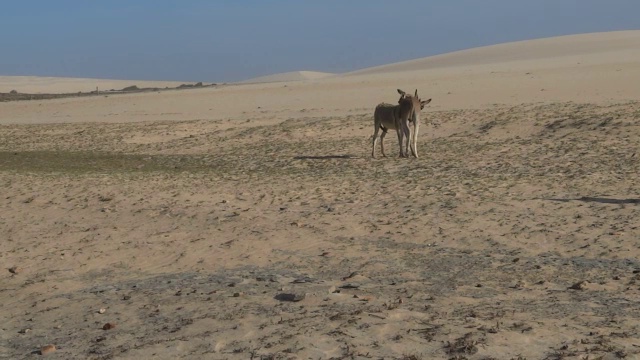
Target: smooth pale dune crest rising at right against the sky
{"x":621,"y":46}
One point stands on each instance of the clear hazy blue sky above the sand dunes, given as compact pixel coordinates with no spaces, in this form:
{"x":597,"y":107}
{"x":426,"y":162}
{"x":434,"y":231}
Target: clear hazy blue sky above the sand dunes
{"x":233,"y":40}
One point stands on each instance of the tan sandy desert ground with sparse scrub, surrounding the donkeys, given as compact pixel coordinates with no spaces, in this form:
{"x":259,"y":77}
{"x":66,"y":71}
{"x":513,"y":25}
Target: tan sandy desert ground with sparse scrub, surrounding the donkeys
{"x":249,"y":220}
